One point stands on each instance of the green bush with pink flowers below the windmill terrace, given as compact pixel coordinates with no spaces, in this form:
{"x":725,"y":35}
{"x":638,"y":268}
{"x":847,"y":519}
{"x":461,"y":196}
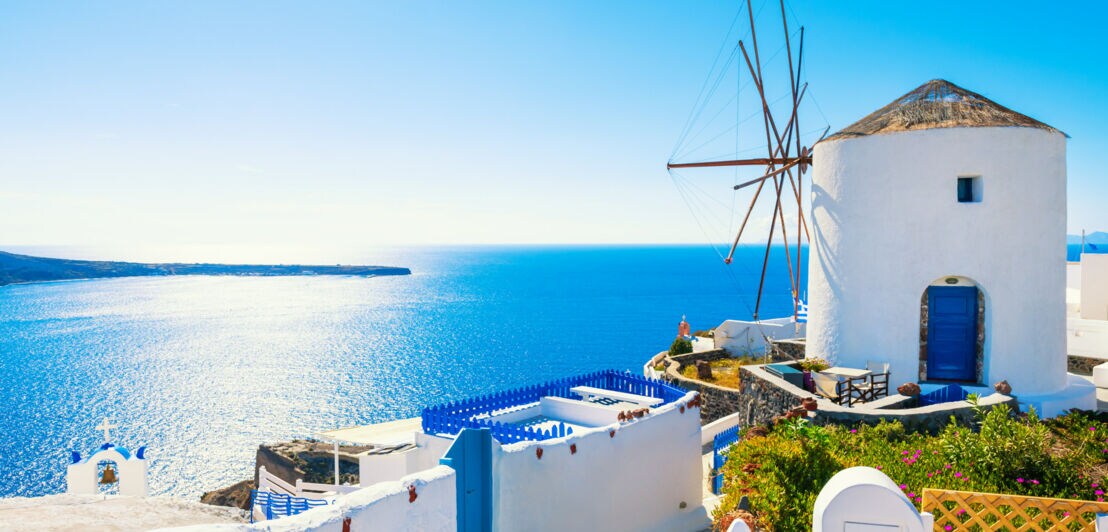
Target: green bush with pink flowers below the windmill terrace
{"x":784,"y":472}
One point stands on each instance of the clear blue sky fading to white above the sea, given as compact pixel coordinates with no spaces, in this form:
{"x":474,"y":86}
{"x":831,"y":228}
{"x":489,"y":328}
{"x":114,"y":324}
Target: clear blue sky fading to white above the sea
{"x":364,"y":124}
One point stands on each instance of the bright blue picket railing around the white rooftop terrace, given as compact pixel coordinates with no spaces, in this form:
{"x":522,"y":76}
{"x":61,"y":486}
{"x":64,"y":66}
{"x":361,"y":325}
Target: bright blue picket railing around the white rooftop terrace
{"x":453,"y":417}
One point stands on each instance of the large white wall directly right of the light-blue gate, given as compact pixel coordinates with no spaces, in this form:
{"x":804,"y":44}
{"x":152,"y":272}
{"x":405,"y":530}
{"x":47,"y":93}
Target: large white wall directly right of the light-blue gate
{"x":634,"y":482}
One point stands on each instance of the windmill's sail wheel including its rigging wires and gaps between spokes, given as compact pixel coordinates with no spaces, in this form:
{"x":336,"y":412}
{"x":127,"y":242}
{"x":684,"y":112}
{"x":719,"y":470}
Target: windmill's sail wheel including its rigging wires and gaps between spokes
{"x":784,"y":160}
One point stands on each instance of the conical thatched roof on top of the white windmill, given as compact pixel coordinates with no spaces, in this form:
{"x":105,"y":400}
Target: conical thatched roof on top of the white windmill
{"x":939,"y":104}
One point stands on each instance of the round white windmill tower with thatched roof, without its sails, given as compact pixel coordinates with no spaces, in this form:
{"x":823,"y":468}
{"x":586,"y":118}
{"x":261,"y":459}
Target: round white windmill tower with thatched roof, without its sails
{"x":939,"y":245}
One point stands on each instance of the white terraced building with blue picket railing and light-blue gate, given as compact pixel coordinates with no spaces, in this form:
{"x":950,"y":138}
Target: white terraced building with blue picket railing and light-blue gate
{"x":608,"y":451}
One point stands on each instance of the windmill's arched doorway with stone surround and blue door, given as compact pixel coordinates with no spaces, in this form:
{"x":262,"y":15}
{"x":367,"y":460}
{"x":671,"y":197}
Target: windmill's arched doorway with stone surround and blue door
{"x":952,"y":331}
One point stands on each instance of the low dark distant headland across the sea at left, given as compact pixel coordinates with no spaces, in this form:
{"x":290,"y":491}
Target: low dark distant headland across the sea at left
{"x":17,"y":269}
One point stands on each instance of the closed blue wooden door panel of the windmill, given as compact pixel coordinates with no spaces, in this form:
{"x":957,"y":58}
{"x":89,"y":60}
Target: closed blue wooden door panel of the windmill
{"x":952,"y":333}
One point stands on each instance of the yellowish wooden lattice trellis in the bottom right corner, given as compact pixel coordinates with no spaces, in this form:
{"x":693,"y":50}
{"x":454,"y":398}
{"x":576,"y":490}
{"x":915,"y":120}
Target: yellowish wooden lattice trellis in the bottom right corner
{"x":970,"y":511}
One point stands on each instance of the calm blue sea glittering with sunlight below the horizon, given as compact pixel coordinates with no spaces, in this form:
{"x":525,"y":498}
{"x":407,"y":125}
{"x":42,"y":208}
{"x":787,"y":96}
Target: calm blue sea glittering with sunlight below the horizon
{"x":203,"y":370}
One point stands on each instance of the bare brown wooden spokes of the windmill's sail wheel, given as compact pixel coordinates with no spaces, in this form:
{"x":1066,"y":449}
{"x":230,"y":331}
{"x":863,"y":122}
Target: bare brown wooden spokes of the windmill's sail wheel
{"x":786,"y":160}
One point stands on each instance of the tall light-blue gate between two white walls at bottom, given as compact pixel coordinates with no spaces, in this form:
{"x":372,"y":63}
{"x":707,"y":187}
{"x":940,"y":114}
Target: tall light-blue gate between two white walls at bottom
{"x":471,"y":458}
